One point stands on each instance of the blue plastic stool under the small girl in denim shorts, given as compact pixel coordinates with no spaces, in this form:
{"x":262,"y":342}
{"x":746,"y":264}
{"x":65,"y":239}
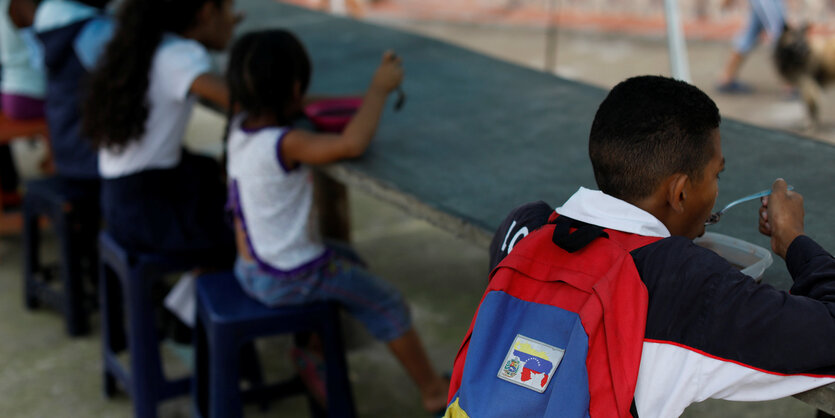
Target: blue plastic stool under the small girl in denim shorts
{"x":228,"y":319}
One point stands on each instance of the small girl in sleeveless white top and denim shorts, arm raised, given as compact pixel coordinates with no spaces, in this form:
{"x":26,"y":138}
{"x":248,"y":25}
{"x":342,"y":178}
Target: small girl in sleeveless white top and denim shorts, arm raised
{"x":281,"y":257}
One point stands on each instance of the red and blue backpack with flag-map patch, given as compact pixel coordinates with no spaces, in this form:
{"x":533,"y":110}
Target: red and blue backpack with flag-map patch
{"x":559,"y":330}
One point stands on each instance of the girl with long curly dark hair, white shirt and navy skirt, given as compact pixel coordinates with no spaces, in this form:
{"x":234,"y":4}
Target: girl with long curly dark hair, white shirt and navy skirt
{"x":155,"y":196}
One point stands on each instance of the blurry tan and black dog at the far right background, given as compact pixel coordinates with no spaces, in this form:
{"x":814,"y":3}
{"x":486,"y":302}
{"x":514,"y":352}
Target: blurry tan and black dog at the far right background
{"x":807,"y":63}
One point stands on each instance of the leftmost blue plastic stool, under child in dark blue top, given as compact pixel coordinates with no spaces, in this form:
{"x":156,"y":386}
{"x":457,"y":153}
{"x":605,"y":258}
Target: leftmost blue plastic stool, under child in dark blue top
{"x":72,"y":207}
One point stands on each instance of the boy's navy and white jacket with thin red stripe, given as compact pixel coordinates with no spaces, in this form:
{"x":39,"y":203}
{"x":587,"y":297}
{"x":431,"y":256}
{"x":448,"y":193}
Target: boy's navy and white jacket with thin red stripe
{"x":711,"y":331}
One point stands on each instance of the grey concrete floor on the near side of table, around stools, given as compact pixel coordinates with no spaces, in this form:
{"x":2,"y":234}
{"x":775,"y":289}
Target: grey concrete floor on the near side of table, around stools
{"x":43,"y":373}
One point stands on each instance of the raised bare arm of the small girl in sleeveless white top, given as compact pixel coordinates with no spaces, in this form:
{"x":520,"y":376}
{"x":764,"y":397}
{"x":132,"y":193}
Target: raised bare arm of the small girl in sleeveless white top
{"x":316,"y":148}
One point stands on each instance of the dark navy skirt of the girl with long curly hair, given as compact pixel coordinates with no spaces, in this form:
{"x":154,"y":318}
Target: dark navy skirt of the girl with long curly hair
{"x":177,"y":212}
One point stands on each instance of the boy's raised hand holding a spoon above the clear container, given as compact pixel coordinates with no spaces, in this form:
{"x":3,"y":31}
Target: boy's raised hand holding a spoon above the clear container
{"x":781,"y":217}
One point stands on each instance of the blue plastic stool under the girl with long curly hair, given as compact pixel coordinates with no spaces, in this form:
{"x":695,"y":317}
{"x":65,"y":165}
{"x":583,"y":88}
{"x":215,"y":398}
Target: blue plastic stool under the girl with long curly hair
{"x":135,"y":274}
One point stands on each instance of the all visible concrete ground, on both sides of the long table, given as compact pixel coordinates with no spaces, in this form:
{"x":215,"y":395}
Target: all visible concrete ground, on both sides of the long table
{"x":44,"y":373}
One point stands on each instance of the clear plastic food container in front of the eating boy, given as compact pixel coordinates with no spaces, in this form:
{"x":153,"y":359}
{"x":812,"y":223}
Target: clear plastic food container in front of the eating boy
{"x":751,"y":259}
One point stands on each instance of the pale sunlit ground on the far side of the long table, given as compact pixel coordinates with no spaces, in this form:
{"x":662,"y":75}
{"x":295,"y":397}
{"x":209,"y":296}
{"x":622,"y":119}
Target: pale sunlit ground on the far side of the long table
{"x":604,"y":59}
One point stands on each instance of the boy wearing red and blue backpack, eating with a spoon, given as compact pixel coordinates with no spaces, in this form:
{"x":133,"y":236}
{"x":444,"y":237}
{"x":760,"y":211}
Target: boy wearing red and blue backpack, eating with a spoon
{"x":604,"y":307}
